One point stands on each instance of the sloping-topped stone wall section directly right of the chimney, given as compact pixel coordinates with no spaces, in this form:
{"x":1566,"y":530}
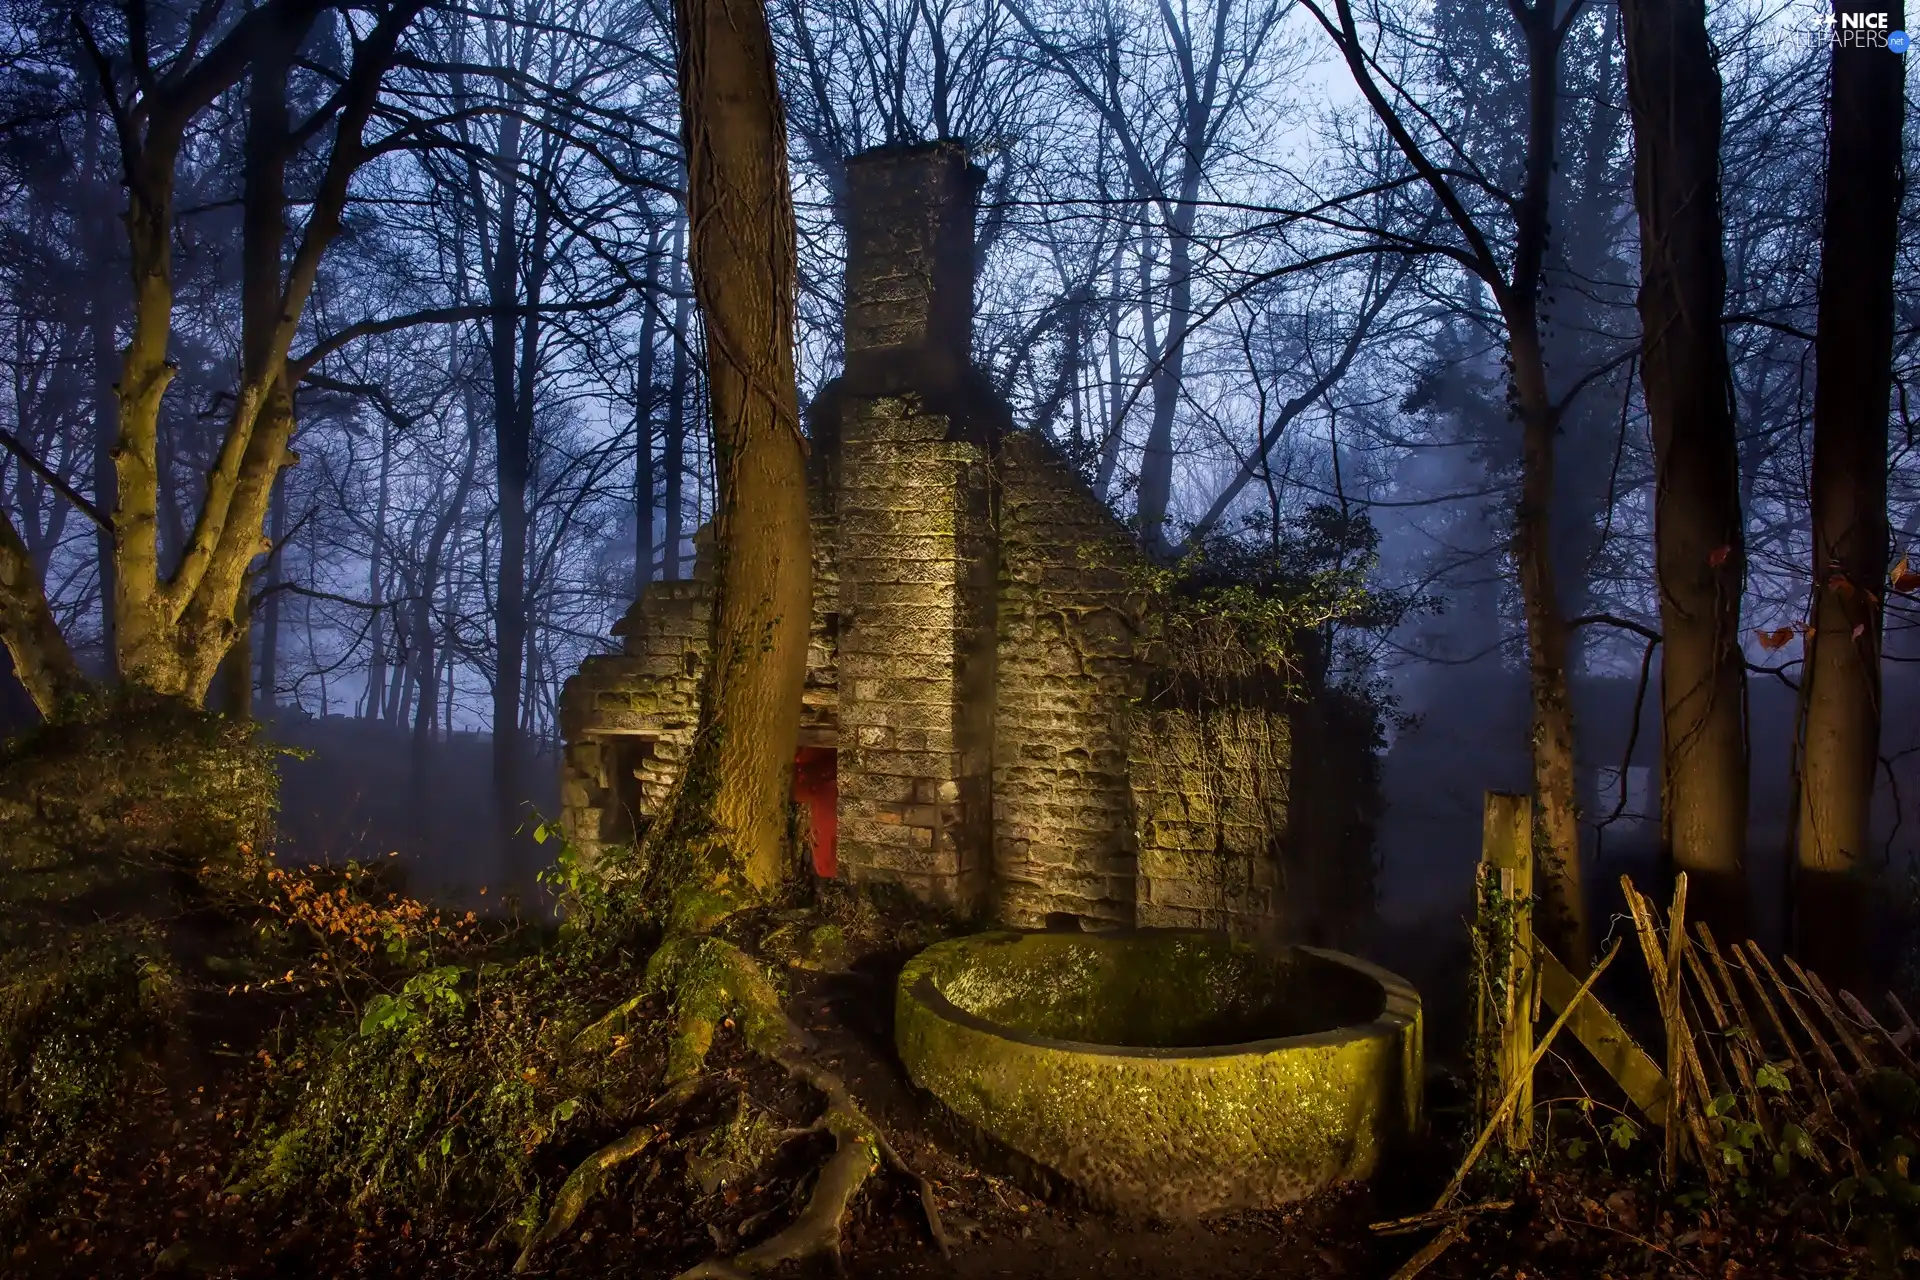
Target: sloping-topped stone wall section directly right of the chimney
{"x":1068,"y":676}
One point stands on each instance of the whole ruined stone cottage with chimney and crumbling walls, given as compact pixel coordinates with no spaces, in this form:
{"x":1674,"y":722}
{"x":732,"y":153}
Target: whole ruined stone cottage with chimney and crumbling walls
{"x":996,"y":719}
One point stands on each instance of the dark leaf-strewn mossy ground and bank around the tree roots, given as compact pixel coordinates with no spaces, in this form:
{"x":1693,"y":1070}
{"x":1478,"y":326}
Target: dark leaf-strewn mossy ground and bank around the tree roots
{"x":204,"y":1078}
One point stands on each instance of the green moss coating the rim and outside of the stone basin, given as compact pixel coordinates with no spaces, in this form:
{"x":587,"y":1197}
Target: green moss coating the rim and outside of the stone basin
{"x":1159,"y":1129}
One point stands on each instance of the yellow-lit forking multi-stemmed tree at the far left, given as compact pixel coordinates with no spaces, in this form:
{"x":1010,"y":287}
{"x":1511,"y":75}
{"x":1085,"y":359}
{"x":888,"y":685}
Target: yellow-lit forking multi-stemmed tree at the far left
{"x":174,"y":628}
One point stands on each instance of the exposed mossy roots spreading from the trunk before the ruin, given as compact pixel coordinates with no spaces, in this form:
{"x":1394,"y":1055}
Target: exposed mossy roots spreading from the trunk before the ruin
{"x":715,"y":985}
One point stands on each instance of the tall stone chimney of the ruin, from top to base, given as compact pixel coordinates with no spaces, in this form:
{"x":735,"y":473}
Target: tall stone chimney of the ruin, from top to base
{"x":917,"y":550}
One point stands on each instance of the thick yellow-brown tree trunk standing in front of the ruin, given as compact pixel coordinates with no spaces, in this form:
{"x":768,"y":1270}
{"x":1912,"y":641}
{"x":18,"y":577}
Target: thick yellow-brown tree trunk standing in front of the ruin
{"x":742,"y":254}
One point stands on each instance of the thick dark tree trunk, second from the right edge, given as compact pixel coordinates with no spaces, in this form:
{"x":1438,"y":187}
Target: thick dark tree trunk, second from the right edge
{"x":1698,"y":546}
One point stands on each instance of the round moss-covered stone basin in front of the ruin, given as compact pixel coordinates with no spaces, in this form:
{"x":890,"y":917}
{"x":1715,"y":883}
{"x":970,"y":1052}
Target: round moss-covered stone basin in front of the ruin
{"x":1168,"y":1072}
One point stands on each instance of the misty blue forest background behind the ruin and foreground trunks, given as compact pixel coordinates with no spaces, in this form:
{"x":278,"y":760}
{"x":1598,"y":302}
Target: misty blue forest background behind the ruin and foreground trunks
{"x":1207,"y":273}
